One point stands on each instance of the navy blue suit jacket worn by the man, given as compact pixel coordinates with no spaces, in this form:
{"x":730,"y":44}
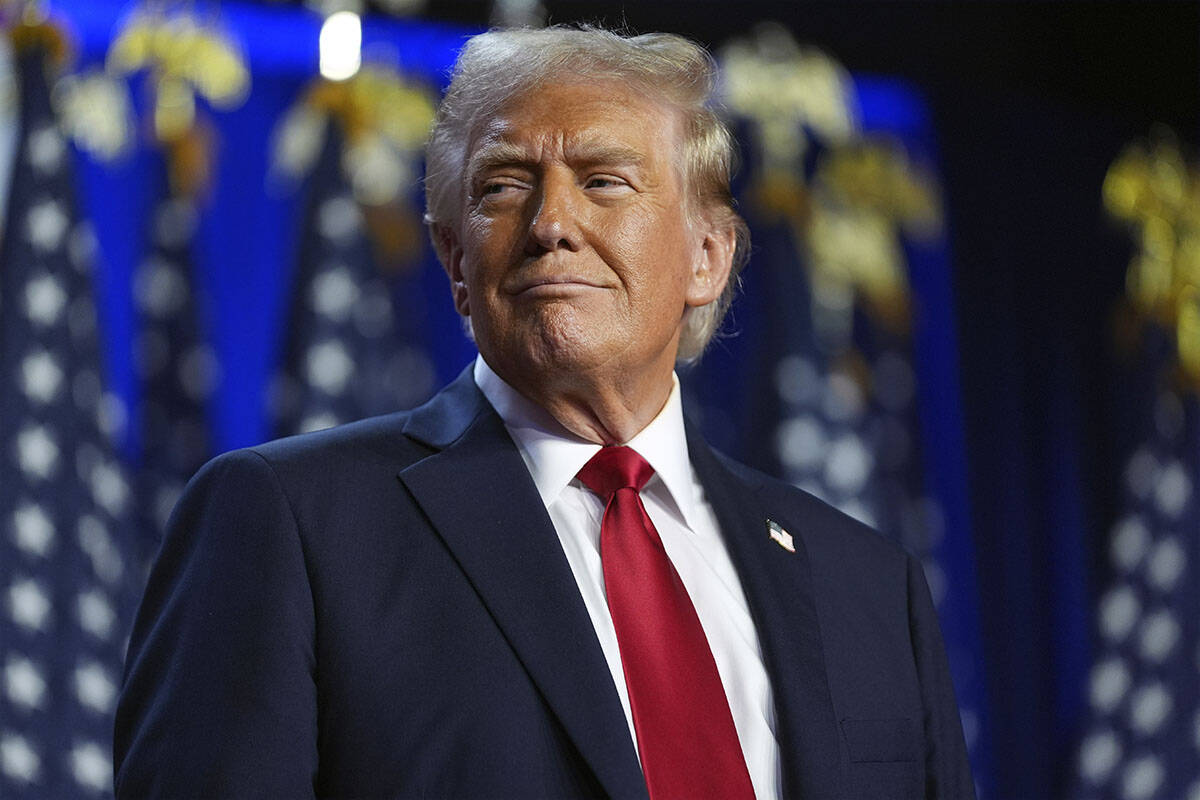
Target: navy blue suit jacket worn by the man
{"x":385,"y":610}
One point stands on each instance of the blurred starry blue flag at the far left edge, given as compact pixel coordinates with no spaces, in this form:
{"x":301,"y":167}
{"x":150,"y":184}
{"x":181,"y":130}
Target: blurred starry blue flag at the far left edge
{"x":65,"y":536}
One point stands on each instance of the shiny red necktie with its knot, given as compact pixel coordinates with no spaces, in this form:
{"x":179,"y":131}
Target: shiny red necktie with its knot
{"x":686,"y":732}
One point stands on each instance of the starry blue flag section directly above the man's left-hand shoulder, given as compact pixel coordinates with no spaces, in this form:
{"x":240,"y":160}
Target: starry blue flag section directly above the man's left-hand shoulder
{"x":349,"y":353}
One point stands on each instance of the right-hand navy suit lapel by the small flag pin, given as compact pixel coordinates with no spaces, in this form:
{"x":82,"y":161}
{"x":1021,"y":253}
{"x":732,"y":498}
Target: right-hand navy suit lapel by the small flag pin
{"x":779,"y":590}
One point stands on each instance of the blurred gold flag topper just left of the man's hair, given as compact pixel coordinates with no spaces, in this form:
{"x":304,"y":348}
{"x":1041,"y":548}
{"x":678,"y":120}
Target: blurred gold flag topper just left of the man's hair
{"x":386,"y":121}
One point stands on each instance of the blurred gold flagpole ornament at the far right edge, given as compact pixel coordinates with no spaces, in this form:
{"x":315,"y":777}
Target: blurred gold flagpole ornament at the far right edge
{"x":1155,"y":191}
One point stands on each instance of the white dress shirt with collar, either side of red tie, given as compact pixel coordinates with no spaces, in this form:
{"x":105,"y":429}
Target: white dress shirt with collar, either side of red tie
{"x":676,"y":504}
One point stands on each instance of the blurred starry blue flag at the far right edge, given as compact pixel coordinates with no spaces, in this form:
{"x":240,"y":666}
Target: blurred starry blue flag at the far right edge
{"x":1143,"y":741}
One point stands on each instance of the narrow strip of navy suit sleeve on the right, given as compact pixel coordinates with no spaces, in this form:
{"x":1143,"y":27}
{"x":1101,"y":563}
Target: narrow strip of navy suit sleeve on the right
{"x":947,"y":771}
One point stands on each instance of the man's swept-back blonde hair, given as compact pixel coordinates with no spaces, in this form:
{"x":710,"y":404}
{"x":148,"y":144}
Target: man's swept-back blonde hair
{"x":495,"y":67}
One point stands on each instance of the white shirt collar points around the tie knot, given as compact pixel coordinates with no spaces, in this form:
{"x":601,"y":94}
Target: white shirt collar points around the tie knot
{"x":555,"y":455}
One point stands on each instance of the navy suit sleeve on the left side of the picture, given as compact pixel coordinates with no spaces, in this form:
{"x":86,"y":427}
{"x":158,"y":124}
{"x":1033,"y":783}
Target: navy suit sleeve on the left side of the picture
{"x":219,"y":696}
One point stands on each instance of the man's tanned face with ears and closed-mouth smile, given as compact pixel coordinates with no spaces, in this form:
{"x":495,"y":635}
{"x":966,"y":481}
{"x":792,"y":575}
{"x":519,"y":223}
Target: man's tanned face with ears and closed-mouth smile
{"x":575,"y":256}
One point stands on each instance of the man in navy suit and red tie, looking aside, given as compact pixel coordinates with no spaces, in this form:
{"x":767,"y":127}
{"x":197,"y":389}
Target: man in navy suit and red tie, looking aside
{"x":543,"y":584}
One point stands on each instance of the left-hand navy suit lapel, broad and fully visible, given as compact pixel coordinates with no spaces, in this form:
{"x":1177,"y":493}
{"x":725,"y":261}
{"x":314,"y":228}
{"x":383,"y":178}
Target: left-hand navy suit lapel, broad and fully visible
{"x":483,"y":503}
